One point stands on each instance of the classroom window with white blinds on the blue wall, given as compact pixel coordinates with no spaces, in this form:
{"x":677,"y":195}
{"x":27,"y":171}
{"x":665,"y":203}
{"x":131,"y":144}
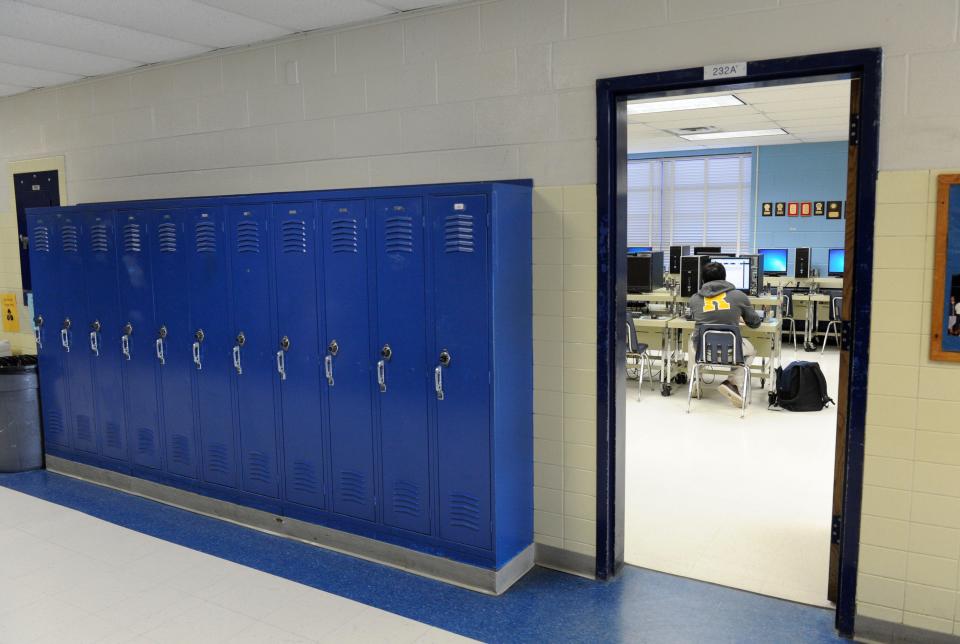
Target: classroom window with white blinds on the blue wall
{"x":702,"y":200}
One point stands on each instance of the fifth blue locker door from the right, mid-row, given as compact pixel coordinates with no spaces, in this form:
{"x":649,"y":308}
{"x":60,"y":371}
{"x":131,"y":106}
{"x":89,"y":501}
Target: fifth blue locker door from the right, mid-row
{"x":253,"y":345}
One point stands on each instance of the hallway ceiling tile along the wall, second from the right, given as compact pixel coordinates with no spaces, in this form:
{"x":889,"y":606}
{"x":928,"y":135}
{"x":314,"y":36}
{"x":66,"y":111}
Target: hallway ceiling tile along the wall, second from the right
{"x":303,"y":15}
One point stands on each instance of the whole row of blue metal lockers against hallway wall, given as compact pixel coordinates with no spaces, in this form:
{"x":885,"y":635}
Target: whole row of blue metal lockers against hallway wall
{"x":356,"y":358}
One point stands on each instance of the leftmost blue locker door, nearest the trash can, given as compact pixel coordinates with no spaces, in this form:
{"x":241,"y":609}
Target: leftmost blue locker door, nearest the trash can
{"x":48,"y":314}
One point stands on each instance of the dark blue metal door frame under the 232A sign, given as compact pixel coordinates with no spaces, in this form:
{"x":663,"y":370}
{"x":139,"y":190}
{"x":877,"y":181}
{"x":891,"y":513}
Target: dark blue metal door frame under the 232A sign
{"x":864,"y":64}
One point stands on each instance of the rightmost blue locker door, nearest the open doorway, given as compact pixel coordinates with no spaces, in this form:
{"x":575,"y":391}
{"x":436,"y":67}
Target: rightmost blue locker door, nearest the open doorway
{"x":461,"y":364}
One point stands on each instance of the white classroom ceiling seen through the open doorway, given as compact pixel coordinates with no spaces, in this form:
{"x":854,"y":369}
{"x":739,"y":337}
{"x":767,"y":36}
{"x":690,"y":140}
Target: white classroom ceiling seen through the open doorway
{"x":809,"y":112}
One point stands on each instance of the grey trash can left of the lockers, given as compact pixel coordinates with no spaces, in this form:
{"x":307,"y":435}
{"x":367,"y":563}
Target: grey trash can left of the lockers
{"x":20,"y":448}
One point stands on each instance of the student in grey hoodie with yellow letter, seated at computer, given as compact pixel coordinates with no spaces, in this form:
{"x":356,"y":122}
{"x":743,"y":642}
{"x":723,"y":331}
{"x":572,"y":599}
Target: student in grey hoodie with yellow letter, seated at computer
{"x":719,"y":302}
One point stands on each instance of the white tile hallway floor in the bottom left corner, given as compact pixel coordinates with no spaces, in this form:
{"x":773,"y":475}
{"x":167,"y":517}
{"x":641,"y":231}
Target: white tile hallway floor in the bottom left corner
{"x":69,"y":577}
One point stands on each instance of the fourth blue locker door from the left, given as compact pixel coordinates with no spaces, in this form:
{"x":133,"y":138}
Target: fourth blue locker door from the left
{"x":137,"y":338}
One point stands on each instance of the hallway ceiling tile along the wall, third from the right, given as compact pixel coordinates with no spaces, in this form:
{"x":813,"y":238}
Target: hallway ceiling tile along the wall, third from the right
{"x":183,"y":20}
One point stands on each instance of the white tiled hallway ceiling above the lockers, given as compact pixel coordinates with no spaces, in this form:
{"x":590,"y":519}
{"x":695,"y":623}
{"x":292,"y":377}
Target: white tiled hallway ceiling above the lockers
{"x":51,"y":42}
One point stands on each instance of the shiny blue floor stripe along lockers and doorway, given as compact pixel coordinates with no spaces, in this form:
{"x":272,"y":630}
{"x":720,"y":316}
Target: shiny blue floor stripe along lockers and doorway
{"x":545,"y":606}
